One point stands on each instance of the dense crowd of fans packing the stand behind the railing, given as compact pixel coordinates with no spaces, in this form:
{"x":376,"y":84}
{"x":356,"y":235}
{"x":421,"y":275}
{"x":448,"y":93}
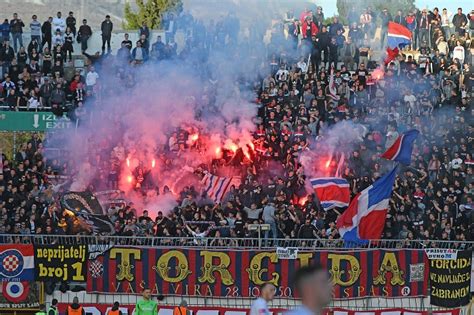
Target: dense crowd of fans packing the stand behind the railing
{"x":429,"y":86}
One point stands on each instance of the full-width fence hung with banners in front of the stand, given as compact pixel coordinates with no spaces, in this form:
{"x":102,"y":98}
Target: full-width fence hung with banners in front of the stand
{"x":228,"y":273}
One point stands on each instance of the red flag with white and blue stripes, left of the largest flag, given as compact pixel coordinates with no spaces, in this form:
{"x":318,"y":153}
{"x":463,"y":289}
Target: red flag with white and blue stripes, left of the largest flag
{"x":332,"y":192}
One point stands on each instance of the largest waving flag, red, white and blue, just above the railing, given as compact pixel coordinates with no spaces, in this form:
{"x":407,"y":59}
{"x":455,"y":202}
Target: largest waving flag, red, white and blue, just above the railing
{"x":364,"y":219}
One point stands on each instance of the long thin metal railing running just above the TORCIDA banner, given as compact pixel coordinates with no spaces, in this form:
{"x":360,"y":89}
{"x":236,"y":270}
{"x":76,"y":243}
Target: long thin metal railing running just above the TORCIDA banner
{"x":228,"y":243}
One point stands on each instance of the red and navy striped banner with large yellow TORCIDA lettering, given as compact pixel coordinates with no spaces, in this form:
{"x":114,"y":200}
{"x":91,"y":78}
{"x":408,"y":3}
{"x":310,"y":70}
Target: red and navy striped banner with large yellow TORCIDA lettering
{"x":240,"y":273}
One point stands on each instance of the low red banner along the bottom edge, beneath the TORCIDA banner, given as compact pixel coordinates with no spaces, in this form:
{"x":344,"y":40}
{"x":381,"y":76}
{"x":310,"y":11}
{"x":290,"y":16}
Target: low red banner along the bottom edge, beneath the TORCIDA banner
{"x":101,"y":309}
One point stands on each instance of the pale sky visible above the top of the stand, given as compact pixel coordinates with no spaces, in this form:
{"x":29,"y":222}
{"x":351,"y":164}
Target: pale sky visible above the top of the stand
{"x":330,"y":5}
